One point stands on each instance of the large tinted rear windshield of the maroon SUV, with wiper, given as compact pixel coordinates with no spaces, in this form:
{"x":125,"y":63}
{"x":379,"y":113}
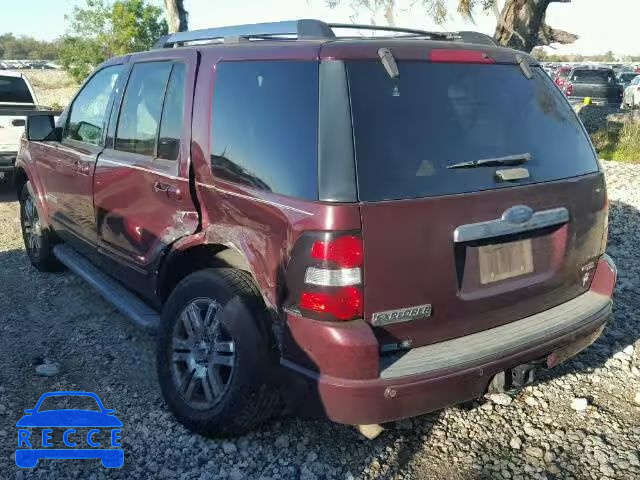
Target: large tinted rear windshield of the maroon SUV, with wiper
{"x":408,"y":130}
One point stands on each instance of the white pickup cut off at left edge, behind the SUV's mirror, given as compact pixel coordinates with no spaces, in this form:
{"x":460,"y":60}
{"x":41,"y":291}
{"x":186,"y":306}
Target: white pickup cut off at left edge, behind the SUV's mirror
{"x":17,"y":100}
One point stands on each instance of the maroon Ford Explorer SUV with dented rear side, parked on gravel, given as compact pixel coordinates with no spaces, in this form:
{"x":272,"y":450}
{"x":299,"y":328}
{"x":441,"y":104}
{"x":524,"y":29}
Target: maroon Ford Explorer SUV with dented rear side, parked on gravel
{"x":364,"y":229}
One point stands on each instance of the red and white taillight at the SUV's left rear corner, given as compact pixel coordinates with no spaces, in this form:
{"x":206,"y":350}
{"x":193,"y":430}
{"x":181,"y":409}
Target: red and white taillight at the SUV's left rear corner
{"x":324,"y":276}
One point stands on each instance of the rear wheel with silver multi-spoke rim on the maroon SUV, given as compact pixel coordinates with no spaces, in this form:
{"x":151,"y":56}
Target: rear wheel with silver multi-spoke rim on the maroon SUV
{"x":216,"y":354}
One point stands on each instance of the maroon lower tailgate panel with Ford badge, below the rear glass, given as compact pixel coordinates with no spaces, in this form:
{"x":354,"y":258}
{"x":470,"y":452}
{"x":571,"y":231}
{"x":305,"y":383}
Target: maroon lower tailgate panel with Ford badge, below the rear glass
{"x":479,"y":281}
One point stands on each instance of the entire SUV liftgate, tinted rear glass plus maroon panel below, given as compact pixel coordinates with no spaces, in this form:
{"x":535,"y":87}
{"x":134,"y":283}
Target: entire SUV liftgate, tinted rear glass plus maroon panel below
{"x":453,"y":251}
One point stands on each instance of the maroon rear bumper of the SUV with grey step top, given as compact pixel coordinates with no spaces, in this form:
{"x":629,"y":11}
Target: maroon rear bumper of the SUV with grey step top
{"x":436,"y":376}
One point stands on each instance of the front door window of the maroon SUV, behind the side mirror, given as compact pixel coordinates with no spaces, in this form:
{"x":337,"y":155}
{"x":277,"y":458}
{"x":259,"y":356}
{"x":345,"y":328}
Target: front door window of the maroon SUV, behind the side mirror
{"x":87,"y":118}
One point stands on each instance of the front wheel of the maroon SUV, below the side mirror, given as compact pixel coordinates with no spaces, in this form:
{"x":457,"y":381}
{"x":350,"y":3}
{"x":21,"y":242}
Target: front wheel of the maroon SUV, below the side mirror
{"x":38,"y":240}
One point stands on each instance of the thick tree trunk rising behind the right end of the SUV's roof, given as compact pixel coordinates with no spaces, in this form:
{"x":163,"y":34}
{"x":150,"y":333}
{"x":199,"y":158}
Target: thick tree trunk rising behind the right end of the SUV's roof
{"x":522,"y":25}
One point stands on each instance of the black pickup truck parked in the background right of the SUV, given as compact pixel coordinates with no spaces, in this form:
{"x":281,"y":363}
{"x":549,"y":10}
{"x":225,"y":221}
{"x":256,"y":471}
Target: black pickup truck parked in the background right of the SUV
{"x":598,"y":84}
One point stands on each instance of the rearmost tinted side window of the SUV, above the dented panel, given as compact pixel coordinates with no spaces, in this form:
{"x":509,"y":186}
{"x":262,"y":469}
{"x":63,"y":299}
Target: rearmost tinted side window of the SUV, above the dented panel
{"x":264,"y":126}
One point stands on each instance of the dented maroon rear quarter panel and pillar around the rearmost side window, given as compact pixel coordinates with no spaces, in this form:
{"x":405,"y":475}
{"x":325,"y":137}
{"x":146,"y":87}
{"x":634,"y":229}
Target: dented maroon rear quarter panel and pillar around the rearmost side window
{"x":262,"y":226}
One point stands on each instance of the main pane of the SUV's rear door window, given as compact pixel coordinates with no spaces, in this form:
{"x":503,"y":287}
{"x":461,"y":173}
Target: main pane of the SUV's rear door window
{"x":141,"y":108}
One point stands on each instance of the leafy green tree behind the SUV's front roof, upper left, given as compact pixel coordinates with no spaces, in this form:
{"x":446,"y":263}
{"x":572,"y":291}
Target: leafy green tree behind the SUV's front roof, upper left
{"x":102,"y":30}
